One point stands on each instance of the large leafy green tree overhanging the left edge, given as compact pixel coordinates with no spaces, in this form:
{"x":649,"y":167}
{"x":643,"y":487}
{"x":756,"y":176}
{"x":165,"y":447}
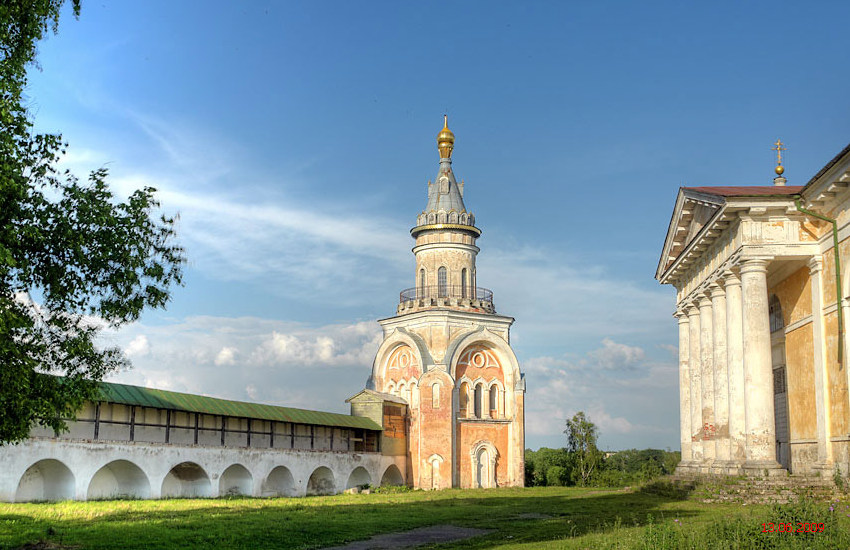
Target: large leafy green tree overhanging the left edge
{"x":73,"y":258}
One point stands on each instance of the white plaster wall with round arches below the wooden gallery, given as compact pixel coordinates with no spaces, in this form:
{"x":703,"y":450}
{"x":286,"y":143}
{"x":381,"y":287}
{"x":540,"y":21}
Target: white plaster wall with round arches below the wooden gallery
{"x":53,"y":468}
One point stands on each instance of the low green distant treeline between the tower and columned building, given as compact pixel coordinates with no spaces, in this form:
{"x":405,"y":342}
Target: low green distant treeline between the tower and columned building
{"x":561,"y":467}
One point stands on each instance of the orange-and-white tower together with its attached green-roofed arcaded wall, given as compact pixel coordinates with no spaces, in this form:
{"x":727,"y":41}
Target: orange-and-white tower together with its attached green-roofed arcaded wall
{"x":443,"y":407}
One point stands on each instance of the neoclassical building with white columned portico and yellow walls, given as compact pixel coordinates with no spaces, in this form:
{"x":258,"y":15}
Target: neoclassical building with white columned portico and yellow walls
{"x":760,"y":304}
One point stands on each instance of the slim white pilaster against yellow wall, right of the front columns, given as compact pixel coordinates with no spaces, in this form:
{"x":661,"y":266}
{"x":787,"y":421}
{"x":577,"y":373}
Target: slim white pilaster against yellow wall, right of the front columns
{"x":822,"y":402}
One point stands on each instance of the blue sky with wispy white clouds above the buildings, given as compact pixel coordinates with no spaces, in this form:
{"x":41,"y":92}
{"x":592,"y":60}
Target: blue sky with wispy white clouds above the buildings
{"x":295,"y":141}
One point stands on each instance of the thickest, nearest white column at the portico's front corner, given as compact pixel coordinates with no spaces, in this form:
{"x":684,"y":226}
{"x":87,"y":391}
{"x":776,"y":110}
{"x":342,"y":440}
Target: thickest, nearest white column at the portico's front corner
{"x":758,"y":369}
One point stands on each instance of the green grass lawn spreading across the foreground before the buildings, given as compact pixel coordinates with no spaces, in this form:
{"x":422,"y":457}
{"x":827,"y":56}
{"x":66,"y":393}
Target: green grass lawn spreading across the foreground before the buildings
{"x":577,"y":518}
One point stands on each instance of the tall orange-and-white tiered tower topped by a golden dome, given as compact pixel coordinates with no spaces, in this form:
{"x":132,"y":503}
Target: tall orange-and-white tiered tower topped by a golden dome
{"x":447,"y":353}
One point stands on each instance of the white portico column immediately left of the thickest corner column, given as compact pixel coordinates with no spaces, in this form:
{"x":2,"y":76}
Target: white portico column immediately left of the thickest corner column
{"x":735,"y":367}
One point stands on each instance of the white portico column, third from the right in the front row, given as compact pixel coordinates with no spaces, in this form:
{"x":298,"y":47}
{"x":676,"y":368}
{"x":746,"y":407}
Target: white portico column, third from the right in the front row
{"x":721,"y":375}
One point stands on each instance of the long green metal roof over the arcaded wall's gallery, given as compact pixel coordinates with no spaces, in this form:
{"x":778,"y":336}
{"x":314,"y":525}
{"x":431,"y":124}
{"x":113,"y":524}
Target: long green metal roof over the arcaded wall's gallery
{"x":161,"y":399}
